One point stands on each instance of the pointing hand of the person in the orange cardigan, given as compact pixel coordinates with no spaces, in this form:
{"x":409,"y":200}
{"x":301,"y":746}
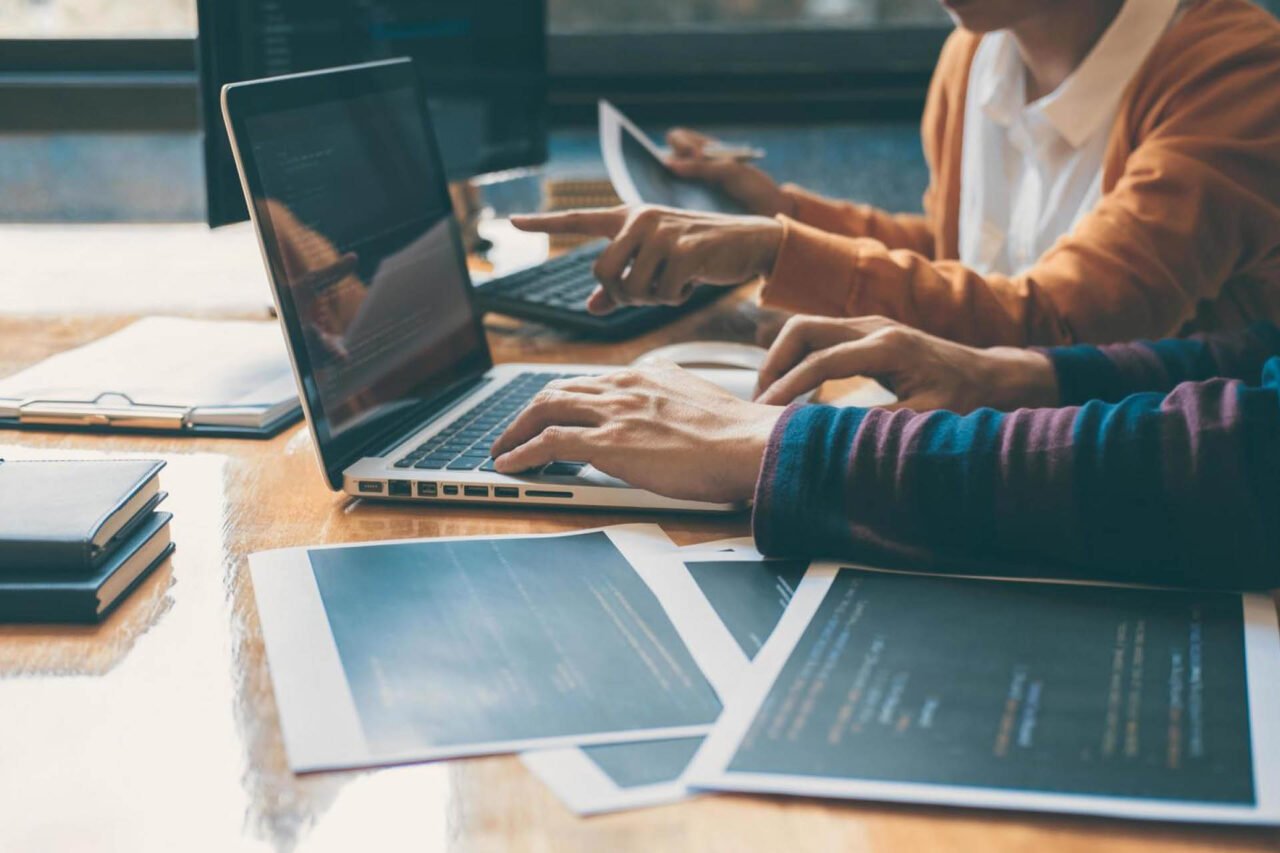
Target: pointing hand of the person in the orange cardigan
{"x":660,"y":254}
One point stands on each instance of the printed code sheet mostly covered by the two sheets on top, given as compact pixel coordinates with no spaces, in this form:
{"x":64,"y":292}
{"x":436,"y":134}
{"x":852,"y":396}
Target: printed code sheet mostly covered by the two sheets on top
{"x":748,"y":596}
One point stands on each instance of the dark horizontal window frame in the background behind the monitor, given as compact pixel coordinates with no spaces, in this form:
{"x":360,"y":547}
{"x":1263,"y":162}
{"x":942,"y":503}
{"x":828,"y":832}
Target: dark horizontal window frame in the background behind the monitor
{"x":757,"y":74}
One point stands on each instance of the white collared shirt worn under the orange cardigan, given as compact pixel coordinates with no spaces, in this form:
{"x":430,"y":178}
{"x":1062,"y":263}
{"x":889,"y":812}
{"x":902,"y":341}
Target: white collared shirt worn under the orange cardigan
{"x":1030,"y":172}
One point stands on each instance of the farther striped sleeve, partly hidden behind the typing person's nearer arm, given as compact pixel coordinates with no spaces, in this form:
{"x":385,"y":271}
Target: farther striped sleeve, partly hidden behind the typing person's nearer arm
{"x":1117,"y":371}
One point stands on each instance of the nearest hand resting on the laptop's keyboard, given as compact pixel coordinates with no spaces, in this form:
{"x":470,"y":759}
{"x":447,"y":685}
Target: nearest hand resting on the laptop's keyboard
{"x":659,"y":428}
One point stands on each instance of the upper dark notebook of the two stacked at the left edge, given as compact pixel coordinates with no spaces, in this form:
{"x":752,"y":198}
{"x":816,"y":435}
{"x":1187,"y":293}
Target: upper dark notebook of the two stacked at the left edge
{"x":70,"y":517}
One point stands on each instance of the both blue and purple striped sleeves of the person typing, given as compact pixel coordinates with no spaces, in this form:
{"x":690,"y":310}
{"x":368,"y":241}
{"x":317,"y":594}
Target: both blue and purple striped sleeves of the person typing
{"x":1163,"y":468}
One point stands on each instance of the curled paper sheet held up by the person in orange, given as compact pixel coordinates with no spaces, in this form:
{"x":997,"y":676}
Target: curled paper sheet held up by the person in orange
{"x":639,"y":176}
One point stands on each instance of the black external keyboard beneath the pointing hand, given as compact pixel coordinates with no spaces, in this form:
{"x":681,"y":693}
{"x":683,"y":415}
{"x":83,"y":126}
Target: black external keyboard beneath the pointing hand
{"x":556,"y":294}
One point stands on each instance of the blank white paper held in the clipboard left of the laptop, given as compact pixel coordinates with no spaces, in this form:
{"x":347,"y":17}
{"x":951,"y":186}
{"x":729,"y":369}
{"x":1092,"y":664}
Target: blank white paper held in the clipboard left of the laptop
{"x":235,"y":371}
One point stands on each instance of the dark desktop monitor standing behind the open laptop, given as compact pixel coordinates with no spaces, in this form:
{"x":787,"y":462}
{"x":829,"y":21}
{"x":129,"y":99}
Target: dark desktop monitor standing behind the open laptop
{"x":483,"y":62}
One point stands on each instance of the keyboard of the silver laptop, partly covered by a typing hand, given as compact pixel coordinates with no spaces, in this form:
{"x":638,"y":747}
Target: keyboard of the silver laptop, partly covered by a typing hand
{"x":464,"y":445}
